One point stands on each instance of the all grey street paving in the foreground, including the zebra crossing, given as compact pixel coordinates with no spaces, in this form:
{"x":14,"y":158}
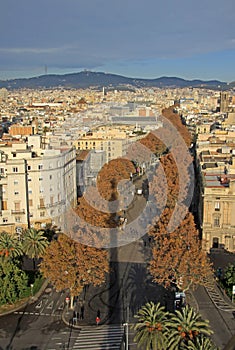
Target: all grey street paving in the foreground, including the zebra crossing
{"x":46,"y":323}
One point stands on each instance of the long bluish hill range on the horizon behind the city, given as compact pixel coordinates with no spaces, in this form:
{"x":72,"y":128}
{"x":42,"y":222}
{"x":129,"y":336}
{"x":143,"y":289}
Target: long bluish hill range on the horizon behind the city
{"x":86,"y":79}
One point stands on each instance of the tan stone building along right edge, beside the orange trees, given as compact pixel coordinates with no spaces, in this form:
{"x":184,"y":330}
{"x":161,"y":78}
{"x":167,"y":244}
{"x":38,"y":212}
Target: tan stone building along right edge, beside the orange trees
{"x":216,"y":189}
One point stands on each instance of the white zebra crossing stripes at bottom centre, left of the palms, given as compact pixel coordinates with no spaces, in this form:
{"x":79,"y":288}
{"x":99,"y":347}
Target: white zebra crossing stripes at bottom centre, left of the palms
{"x":100,"y":338}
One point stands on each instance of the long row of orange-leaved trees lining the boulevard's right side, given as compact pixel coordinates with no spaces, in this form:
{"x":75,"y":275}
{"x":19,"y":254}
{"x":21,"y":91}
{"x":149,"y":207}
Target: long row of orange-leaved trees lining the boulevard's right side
{"x":177,"y":257}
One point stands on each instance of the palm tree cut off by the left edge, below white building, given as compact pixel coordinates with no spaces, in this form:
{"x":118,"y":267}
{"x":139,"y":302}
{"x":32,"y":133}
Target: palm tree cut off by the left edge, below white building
{"x":10,"y":247}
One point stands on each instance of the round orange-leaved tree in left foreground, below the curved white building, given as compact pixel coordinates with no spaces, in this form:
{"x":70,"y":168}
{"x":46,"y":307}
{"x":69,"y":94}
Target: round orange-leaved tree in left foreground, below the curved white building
{"x":72,"y":265}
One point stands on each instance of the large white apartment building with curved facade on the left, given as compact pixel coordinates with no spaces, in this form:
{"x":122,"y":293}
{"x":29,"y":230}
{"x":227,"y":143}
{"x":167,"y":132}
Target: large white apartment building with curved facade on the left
{"x":36,"y":185}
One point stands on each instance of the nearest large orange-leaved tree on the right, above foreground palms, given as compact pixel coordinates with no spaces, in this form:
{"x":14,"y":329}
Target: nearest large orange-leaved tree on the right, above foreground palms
{"x":177,"y":257}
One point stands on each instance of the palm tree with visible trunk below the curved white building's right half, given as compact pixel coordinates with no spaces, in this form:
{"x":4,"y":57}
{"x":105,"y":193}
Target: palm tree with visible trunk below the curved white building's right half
{"x":34,"y":244}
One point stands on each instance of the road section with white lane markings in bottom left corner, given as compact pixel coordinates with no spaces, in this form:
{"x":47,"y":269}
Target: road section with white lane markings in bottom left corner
{"x":38,"y":326}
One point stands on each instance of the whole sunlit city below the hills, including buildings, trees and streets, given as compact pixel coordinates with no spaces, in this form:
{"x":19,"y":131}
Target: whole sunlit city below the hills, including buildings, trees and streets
{"x":117,"y":226}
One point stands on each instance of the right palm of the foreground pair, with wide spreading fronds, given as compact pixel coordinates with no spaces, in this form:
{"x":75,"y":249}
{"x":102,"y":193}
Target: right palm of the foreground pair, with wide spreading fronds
{"x":185,"y":327}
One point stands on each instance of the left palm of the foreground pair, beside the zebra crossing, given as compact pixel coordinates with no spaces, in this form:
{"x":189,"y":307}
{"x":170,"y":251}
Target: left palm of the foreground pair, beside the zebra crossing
{"x":151,"y":328}
